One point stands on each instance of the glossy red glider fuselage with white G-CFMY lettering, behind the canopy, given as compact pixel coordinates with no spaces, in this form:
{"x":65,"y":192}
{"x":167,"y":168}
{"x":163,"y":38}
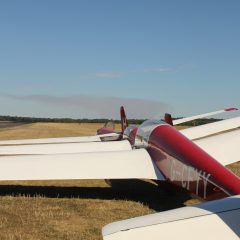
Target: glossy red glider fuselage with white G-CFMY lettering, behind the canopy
{"x":187,"y":165}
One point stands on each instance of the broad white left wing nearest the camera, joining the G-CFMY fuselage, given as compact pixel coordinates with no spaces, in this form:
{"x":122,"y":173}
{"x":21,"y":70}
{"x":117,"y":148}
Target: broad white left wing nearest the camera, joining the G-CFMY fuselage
{"x":99,"y":165}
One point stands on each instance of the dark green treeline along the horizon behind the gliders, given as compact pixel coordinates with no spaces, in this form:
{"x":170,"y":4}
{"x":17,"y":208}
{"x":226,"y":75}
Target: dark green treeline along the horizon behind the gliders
{"x":86,"y":120}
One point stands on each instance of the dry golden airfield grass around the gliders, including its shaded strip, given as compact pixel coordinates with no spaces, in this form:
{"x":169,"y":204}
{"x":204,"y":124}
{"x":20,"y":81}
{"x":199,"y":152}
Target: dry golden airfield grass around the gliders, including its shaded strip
{"x":74,"y":209}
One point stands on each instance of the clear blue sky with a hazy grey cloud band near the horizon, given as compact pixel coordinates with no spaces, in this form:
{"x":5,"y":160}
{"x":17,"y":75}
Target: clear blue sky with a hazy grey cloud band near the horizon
{"x":86,"y":58}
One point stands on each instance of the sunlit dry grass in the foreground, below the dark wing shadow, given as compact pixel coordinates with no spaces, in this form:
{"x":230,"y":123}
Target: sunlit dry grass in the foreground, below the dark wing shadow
{"x":55,"y":218}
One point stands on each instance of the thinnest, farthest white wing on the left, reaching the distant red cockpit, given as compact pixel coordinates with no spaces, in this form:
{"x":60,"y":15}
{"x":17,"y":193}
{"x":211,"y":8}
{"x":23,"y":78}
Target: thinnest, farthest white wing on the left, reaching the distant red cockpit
{"x":96,"y":138}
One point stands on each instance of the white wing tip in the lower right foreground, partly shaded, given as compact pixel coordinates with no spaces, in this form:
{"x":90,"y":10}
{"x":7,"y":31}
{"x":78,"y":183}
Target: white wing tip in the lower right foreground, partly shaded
{"x":213,"y":220}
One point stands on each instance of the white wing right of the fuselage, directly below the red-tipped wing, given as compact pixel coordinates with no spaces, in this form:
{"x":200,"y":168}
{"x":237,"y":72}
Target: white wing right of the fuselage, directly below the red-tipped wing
{"x":211,"y":128}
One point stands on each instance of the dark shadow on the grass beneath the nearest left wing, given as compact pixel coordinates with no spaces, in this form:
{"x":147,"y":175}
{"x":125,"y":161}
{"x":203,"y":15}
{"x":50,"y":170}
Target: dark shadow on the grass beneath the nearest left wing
{"x":158,"y":198}
